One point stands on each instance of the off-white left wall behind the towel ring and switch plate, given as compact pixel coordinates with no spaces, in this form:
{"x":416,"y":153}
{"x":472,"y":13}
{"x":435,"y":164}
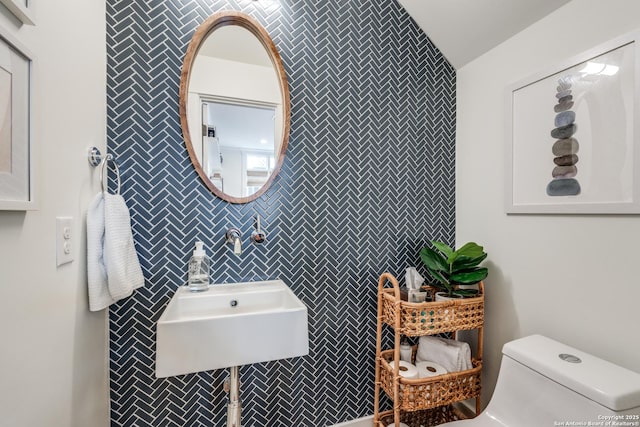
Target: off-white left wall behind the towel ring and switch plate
{"x":53,"y":357}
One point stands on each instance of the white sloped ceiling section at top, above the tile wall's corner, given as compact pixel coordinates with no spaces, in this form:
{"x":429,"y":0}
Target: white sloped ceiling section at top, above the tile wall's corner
{"x":465,"y":29}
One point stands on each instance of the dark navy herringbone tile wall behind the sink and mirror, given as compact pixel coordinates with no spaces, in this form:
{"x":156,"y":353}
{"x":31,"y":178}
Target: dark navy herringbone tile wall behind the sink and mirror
{"x":368,"y":180}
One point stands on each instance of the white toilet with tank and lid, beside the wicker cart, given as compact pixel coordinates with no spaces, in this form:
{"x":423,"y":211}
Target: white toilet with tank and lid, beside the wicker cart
{"x":545,"y":383}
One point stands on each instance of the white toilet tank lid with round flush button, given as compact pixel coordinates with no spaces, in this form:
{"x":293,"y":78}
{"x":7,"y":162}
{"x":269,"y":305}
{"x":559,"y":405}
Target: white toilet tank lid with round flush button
{"x":610,"y":385}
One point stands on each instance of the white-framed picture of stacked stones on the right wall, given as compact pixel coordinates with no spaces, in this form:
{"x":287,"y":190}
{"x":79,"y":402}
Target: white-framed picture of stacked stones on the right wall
{"x":572,"y":135}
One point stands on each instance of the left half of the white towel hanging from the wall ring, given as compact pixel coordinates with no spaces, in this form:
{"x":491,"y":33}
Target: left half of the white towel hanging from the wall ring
{"x":99,"y":297}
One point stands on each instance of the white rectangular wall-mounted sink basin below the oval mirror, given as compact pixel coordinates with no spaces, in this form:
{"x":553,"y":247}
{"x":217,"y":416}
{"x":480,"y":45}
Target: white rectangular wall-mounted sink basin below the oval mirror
{"x":230,"y":325}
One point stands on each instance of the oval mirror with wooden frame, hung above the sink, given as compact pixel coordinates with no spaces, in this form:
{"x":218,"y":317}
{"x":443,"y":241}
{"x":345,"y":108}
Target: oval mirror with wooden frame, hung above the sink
{"x":234,"y":106}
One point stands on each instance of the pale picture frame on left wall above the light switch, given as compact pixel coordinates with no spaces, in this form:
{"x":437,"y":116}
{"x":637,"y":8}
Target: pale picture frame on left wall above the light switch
{"x":17,"y":163}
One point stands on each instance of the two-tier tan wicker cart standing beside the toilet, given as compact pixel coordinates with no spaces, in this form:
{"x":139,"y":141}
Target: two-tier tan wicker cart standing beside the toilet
{"x":424,"y":401}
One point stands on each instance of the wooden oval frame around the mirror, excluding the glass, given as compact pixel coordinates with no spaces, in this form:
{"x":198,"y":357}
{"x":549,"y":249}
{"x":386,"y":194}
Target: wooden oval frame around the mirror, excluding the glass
{"x":214,"y":22}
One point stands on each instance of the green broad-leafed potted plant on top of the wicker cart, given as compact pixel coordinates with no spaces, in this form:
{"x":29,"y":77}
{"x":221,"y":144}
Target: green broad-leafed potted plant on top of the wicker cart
{"x":450,"y":268}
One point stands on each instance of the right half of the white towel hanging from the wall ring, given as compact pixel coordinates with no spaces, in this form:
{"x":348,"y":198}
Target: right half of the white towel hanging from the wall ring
{"x":121,"y":260}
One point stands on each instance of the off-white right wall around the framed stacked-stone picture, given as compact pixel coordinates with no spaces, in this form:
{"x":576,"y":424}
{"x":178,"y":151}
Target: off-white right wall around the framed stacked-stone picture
{"x":572,"y":278}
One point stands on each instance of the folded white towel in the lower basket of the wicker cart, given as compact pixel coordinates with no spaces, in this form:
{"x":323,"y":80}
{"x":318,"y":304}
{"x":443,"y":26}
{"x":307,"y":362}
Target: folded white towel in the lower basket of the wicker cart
{"x":453,"y":355}
